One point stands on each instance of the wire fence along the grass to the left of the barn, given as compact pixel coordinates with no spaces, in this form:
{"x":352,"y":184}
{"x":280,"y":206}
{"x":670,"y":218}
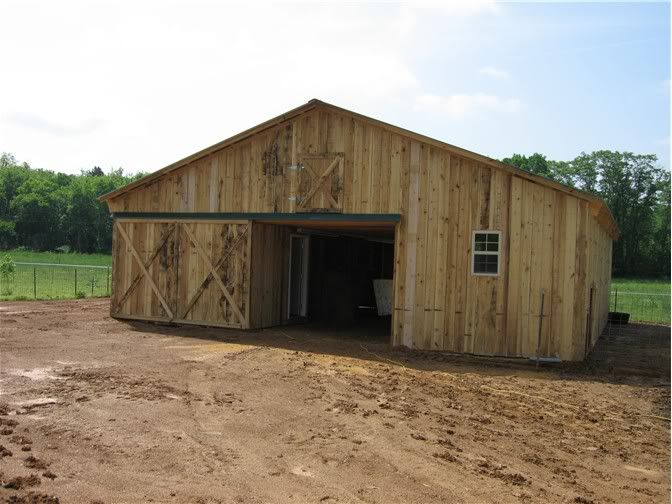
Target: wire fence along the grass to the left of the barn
{"x":55,"y":281}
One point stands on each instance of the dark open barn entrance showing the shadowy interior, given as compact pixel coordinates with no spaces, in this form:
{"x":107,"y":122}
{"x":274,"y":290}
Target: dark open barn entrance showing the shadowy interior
{"x":341,"y":281}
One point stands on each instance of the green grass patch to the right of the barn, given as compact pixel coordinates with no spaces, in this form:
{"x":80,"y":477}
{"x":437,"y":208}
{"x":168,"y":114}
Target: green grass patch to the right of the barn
{"x":645,"y":300}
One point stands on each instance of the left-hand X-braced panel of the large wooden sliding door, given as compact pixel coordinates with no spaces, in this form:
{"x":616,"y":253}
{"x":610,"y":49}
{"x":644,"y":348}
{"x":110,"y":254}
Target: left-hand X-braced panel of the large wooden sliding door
{"x":144,"y":270}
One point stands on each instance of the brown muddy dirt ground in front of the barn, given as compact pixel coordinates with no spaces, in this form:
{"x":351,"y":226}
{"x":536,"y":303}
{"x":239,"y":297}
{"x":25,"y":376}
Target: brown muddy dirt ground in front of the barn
{"x":97,"y":410}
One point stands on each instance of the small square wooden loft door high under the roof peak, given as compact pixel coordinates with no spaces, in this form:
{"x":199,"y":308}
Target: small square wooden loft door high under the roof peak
{"x":320,"y":183}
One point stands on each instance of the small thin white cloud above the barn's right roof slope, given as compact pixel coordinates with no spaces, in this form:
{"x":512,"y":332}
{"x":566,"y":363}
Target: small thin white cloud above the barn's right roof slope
{"x":460,"y":106}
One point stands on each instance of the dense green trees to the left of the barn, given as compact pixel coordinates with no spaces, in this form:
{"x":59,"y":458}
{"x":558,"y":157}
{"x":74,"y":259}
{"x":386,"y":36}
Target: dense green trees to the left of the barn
{"x":43,"y":210}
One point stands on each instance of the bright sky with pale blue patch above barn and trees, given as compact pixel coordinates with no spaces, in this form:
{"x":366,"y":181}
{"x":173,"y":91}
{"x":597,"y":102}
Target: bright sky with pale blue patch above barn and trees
{"x":140,"y":85}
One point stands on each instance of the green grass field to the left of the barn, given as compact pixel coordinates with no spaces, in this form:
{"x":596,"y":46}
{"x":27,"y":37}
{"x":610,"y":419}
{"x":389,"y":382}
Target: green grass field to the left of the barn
{"x":33,"y":281}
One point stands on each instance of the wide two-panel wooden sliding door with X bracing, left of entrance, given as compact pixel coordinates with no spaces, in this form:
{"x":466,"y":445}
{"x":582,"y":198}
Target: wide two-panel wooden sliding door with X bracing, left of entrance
{"x":189,"y":272}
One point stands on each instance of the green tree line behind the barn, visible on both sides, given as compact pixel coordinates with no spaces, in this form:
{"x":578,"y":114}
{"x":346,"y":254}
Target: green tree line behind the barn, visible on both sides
{"x":45,"y":210}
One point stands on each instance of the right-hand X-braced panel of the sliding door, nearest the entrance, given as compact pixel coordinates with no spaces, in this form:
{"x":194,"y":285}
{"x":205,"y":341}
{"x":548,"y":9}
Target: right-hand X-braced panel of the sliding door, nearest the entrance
{"x":214,"y":274}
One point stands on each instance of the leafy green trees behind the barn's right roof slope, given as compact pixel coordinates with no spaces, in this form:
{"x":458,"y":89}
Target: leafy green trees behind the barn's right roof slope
{"x":637,"y":192}
